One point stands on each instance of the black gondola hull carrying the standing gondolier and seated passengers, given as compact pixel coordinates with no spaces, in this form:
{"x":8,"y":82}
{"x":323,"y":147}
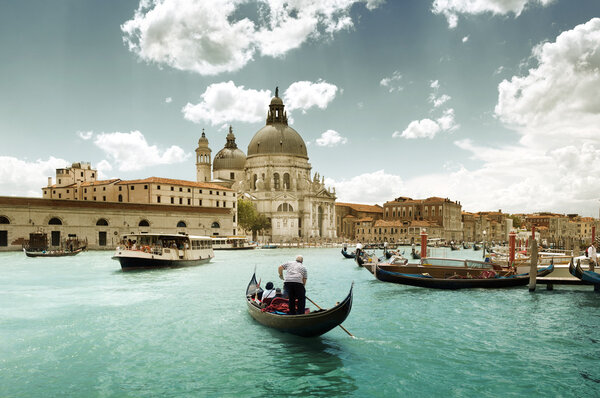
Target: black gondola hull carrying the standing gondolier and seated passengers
{"x":306,"y":325}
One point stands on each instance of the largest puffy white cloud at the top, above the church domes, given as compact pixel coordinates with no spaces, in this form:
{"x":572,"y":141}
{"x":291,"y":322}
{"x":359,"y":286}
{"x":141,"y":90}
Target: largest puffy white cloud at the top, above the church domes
{"x":209,"y":37}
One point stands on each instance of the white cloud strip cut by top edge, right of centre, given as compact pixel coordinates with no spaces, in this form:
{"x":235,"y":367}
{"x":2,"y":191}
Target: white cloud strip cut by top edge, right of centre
{"x":452,"y":8}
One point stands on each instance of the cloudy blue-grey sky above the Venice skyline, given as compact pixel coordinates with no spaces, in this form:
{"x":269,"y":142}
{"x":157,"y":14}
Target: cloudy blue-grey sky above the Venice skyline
{"x":491,"y":103}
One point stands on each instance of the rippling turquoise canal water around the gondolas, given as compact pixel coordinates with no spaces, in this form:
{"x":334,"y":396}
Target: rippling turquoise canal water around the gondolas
{"x":78,"y":326}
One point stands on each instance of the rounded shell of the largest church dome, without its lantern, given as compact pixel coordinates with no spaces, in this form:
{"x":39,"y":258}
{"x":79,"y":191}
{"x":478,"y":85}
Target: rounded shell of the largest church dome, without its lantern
{"x":277,"y":138}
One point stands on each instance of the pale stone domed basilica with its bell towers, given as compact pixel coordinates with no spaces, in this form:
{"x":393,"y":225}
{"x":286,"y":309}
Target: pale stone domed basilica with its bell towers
{"x":277,"y":177}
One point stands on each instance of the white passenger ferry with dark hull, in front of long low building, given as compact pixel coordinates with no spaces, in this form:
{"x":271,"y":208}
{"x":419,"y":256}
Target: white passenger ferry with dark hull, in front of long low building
{"x":150,"y":251}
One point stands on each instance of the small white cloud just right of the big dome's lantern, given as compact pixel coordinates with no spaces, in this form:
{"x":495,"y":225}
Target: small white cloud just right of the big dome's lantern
{"x":304,"y":95}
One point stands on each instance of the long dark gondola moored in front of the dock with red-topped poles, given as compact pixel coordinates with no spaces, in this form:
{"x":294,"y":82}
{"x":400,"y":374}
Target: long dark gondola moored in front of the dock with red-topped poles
{"x":424,"y":279}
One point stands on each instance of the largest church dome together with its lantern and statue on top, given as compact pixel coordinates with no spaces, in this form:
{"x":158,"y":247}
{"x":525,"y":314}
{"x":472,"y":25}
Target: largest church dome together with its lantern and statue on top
{"x":277,"y":137}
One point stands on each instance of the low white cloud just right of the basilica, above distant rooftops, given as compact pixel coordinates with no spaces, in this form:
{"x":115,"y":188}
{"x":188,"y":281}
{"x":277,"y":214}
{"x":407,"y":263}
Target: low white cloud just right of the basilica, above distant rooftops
{"x":374,"y":187}
